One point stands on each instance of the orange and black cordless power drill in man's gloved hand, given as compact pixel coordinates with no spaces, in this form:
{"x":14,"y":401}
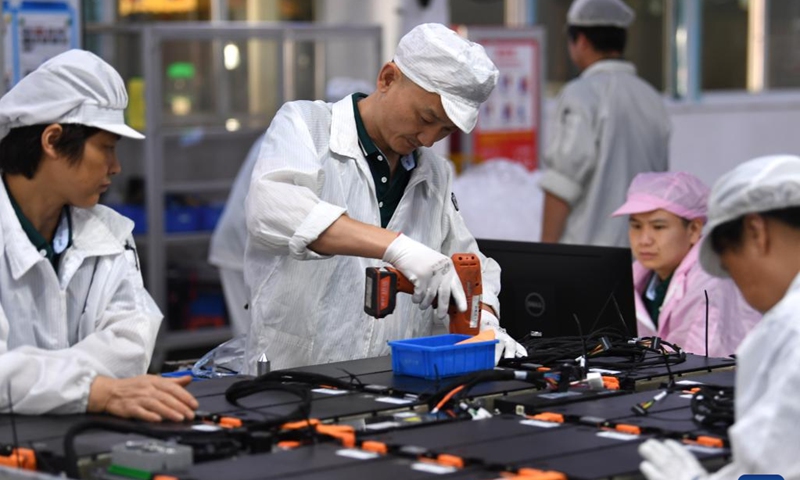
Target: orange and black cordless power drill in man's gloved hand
{"x":383,"y":285}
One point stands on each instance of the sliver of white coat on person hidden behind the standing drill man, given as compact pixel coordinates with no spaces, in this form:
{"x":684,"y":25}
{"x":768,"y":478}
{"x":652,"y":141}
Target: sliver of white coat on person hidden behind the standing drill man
{"x":226,"y":250}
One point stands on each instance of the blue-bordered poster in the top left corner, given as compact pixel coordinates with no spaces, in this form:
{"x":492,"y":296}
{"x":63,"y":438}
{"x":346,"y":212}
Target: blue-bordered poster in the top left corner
{"x":35,"y":31}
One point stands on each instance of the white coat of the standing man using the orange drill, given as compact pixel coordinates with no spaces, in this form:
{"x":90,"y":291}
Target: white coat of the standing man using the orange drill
{"x":308,"y":308}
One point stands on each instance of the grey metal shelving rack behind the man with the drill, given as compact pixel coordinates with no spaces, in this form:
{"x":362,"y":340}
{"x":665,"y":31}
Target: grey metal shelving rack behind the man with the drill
{"x":159,"y":131}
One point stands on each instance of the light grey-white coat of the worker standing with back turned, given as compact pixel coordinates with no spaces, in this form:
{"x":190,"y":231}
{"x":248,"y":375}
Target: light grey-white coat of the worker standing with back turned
{"x":609,"y":126}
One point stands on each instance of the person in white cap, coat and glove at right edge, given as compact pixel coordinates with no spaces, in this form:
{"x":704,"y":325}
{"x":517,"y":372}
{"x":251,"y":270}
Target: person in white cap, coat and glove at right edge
{"x":753,"y":236}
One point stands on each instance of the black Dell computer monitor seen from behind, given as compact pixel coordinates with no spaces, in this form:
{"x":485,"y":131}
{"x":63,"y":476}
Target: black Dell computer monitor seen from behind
{"x":543,"y":286}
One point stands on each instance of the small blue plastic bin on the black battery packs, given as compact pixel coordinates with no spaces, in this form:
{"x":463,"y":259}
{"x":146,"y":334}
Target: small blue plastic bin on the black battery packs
{"x":439,"y":356}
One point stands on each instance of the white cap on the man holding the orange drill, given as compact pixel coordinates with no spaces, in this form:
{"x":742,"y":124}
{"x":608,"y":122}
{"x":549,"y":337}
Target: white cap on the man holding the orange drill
{"x":440,"y":61}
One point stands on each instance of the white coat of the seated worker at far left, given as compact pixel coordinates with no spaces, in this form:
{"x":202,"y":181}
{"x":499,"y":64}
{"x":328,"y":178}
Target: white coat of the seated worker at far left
{"x":59,"y":331}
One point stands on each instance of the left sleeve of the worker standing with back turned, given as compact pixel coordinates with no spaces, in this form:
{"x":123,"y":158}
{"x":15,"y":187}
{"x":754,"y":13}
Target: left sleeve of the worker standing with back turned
{"x":571,"y":157}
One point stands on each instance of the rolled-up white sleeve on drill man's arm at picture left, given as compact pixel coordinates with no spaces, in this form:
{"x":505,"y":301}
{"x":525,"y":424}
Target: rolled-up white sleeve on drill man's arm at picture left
{"x":283,"y":208}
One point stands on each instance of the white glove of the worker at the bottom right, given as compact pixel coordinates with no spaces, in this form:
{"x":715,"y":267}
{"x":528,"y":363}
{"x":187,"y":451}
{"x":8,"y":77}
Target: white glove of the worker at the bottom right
{"x":669,"y":460}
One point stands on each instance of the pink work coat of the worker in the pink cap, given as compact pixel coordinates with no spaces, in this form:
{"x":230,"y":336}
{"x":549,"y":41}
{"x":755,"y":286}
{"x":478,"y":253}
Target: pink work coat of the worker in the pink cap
{"x":682,"y":319}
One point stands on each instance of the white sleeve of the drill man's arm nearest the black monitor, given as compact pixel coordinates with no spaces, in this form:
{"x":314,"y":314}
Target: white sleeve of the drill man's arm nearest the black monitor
{"x":459,"y":239}
